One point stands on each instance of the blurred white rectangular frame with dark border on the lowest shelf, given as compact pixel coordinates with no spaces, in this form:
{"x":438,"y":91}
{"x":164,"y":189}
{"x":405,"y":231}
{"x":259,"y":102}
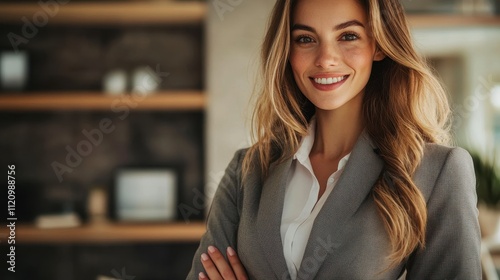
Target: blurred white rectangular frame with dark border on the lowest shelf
{"x":145,"y":194}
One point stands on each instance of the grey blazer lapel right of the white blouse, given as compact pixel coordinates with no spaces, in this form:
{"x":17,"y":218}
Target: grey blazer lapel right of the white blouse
{"x":359,"y":176}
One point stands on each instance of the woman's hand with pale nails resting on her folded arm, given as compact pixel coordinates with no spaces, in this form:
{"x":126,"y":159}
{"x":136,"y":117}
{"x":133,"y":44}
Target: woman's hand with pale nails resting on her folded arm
{"x":218,"y":268}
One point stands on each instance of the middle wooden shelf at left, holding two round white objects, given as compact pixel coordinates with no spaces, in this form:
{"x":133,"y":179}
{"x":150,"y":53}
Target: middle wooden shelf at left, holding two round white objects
{"x":174,"y":100}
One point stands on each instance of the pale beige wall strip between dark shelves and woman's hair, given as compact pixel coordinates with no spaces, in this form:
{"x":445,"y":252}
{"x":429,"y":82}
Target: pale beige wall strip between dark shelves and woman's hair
{"x":234,"y":35}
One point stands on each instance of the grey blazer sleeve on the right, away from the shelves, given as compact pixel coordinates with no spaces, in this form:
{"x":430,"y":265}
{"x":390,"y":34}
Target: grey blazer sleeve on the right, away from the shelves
{"x":453,"y":240}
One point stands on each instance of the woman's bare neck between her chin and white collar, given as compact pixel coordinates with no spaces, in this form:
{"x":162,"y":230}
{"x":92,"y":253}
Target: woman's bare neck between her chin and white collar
{"x":337,"y":131}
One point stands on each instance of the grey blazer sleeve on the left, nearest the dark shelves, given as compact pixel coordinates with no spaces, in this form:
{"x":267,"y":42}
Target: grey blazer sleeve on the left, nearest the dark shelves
{"x":223,"y":218}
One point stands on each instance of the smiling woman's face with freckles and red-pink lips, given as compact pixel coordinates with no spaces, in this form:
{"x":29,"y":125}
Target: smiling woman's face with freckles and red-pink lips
{"x":332,"y":51}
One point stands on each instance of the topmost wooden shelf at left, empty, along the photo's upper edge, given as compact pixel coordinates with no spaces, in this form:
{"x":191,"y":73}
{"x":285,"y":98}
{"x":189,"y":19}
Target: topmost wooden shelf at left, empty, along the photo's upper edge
{"x":134,"y":12}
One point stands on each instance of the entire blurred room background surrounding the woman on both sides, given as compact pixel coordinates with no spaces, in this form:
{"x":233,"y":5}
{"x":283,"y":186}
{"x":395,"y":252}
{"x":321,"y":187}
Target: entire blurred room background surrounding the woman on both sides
{"x":118,"y":119}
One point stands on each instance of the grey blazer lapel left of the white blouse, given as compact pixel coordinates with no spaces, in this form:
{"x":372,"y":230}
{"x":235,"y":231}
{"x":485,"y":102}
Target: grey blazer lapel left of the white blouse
{"x":269,"y":217}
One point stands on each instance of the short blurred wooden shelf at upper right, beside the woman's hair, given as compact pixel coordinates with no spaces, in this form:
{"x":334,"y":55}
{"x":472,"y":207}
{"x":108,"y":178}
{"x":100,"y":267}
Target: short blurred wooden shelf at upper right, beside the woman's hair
{"x":437,"y":20}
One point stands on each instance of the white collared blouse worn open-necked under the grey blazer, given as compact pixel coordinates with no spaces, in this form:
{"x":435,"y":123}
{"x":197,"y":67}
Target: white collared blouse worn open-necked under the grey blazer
{"x":301,"y":204}
